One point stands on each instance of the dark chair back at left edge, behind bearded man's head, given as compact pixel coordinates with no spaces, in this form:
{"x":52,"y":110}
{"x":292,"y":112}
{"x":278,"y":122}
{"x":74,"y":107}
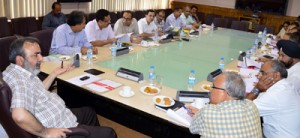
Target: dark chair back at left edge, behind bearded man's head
{"x":4,"y":49}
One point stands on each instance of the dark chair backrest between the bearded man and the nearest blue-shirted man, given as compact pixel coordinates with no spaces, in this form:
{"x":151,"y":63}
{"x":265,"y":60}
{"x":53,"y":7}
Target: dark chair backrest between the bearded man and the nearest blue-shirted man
{"x":45,"y":38}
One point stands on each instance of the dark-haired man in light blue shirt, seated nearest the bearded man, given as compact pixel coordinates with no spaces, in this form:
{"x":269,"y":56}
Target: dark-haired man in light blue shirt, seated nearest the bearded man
{"x":70,"y":38}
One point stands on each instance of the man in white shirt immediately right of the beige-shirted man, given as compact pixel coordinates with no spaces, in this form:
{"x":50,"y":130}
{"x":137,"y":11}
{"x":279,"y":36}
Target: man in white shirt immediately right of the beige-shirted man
{"x":147,"y":26}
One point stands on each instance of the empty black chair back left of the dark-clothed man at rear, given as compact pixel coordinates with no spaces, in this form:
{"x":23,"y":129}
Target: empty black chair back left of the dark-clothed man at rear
{"x":24,"y":26}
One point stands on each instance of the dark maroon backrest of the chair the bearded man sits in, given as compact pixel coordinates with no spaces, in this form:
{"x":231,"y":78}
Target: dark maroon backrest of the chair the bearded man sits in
{"x":11,"y":128}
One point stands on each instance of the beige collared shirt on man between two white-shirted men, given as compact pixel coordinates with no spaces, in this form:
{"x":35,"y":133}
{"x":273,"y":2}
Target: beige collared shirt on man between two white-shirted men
{"x":120,"y":28}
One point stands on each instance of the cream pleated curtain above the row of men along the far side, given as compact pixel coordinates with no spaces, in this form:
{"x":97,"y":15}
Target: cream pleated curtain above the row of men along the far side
{"x":121,"y":5}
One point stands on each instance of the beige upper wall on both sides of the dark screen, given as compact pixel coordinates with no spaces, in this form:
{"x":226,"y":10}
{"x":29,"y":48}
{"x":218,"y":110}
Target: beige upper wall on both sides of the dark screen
{"x":293,"y":6}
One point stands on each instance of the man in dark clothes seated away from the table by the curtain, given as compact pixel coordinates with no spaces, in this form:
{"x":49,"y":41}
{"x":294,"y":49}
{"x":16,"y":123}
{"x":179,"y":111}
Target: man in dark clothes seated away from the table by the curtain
{"x":54,"y":18}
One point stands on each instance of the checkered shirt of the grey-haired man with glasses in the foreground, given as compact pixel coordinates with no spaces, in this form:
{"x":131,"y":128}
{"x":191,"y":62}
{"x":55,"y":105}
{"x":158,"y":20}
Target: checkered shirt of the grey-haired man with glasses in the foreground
{"x":234,"y":118}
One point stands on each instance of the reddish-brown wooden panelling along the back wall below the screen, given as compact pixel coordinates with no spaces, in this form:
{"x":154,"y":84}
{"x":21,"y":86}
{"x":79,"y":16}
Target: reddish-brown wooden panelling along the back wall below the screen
{"x":267,"y":19}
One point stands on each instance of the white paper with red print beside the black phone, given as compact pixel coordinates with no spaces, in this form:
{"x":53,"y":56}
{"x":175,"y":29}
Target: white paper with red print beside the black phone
{"x":78,"y":82}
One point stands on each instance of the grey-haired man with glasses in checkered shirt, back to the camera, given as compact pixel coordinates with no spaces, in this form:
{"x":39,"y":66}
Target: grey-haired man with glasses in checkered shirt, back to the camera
{"x":228,"y":114}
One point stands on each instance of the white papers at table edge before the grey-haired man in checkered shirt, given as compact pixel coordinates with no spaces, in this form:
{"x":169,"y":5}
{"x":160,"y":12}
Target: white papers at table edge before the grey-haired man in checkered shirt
{"x":180,"y":115}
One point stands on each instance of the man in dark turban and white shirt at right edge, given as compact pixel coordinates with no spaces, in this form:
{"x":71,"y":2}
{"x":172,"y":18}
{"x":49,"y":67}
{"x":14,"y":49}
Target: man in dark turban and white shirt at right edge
{"x":289,"y":55}
